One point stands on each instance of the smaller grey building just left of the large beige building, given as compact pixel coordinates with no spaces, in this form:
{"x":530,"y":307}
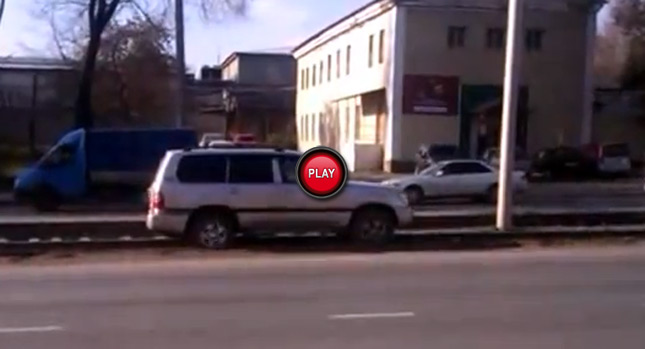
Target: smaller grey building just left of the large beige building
{"x":261,"y":98}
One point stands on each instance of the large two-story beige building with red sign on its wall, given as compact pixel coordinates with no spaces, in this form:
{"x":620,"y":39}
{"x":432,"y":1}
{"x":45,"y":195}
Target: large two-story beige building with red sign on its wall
{"x":395,"y":74}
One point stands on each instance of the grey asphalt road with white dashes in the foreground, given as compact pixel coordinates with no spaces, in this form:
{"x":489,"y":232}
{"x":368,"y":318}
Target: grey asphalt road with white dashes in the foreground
{"x":564,"y":298}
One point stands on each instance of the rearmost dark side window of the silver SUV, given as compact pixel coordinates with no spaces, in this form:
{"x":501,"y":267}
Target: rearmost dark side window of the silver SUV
{"x":202,"y":169}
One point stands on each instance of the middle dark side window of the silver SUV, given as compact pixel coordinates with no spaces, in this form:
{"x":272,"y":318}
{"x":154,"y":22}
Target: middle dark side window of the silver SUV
{"x":250,"y":169}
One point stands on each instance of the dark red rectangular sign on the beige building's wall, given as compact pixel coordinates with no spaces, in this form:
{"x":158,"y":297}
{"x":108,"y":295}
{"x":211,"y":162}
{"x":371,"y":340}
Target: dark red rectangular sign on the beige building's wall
{"x":430,"y":94}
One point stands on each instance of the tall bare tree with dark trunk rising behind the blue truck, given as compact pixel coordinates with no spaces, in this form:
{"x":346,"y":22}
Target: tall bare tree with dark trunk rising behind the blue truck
{"x":94,"y":16}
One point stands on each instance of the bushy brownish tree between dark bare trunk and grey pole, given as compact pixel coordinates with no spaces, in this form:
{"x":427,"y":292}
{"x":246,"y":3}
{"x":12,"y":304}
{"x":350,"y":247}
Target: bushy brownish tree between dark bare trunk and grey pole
{"x":134,"y":71}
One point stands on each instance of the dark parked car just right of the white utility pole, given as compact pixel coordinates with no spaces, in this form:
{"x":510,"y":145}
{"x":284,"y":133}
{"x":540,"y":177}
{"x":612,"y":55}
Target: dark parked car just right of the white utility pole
{"x":563,"y":163}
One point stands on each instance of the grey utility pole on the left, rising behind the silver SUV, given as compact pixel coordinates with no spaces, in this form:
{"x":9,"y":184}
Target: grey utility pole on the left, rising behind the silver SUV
{"x":180,"y":57}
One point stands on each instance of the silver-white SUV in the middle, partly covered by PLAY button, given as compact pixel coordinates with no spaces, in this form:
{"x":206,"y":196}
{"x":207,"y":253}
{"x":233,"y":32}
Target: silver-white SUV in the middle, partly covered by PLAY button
{"x":210,"y":195}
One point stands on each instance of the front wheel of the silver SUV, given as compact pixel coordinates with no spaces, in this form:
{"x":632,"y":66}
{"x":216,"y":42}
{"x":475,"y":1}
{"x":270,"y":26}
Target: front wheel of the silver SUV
{"x":372,"y":227}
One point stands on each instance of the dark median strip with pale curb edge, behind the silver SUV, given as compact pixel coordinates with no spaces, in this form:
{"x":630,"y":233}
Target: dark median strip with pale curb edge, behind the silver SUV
{"x":109,"y":228}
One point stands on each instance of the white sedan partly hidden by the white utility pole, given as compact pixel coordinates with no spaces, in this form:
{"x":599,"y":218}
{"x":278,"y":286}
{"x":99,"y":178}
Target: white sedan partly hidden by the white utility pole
{"x":455,"y":178}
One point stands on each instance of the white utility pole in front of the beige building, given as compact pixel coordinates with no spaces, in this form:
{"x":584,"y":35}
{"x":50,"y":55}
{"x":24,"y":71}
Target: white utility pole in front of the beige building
{"x":512,"y":71}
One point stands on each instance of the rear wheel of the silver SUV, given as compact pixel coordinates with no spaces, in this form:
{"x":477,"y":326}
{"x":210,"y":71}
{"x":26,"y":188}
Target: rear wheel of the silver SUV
{"x":211,"y":230}
